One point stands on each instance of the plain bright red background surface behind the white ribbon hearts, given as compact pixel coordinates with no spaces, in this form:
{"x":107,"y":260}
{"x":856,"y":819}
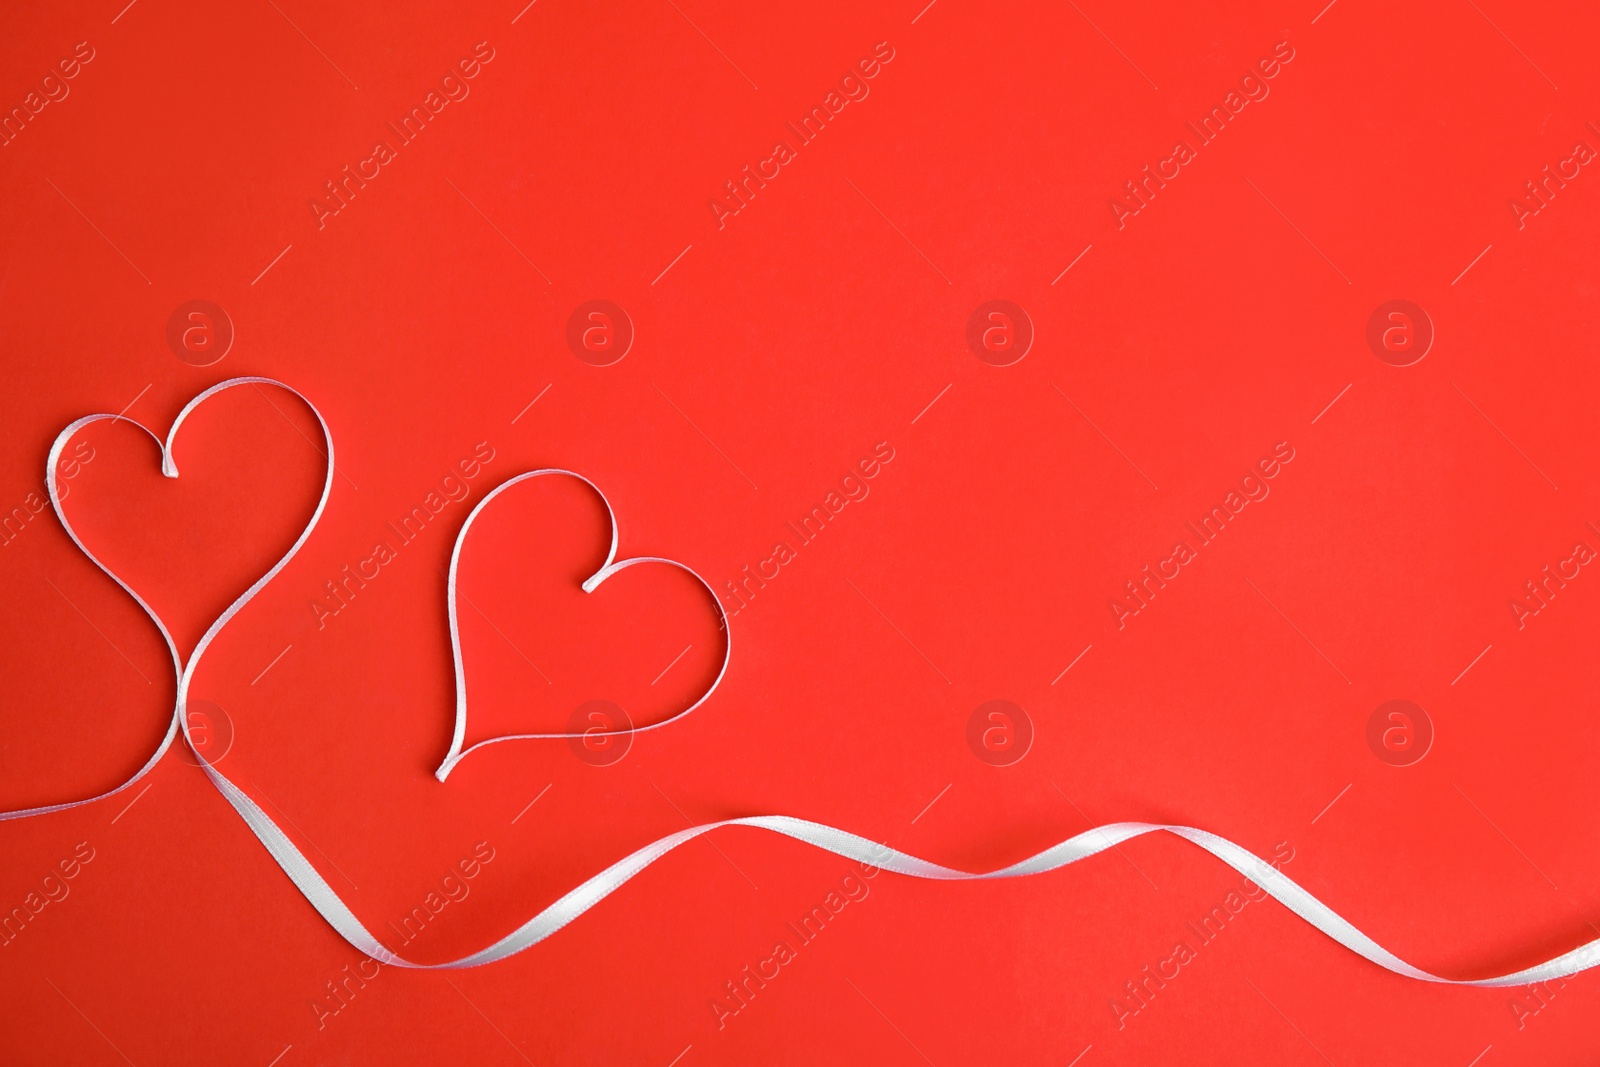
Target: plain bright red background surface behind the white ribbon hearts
{"x":772,"y":356}
